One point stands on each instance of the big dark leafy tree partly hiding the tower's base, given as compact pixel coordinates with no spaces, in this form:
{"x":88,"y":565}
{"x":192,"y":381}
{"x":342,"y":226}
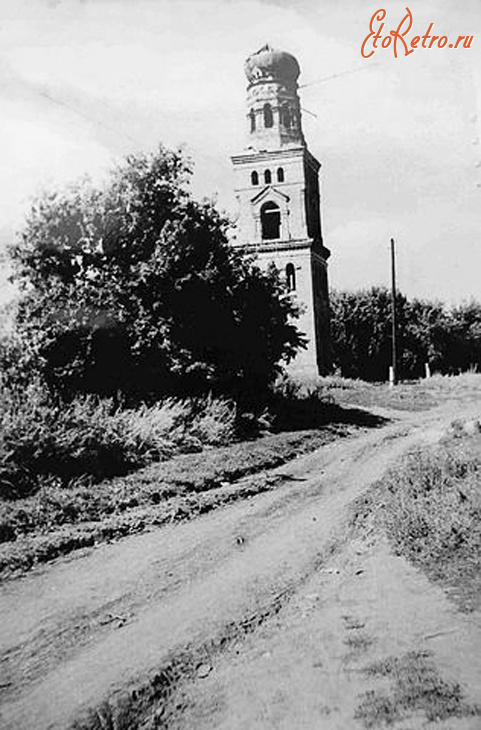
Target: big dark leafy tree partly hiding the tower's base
{"x":134,"y":288}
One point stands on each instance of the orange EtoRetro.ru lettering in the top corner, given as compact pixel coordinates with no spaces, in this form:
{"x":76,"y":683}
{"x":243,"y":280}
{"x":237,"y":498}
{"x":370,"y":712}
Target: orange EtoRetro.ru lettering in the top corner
{"x":398,"y":40}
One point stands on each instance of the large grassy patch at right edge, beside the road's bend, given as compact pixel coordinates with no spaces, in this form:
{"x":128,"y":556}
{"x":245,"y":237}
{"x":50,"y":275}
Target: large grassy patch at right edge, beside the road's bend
{"x":433,"y":513}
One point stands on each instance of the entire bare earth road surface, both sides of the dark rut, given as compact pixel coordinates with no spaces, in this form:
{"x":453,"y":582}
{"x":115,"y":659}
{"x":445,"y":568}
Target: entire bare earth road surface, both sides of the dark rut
{"x":270,"y":596}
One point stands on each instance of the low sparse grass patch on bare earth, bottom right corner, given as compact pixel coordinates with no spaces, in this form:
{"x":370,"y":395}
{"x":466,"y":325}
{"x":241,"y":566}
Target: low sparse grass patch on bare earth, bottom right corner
{"x":416,"y":686}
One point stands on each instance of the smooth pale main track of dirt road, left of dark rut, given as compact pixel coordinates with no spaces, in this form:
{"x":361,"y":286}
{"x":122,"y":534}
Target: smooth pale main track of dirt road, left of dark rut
{"x":92,"y":627}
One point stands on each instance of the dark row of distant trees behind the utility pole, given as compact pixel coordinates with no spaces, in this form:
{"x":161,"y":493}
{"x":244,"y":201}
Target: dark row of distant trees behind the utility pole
{"x":427,"y":332}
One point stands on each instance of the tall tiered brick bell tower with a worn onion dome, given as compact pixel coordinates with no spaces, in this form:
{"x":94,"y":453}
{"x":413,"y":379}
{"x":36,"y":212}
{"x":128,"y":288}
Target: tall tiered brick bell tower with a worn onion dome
{"x":277,"y":188}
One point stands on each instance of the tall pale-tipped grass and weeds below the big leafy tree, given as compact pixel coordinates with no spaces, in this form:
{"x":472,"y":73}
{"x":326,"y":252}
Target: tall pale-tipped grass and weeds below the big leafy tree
{"x":46,"y":442}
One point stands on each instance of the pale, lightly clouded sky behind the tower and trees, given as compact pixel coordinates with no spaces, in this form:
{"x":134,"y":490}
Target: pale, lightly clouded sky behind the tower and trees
{"x":85,"y":82}
